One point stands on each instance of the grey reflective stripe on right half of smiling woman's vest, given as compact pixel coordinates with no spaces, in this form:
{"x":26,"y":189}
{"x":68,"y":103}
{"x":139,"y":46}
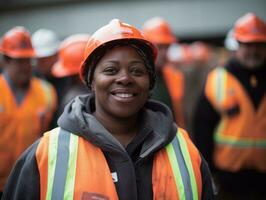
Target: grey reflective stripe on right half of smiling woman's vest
{"x":183,"y":169}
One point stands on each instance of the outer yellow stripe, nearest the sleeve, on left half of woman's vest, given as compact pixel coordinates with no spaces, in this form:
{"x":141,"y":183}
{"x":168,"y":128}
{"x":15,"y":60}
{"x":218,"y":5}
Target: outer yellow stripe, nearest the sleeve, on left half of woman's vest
{"x":52,"y":156}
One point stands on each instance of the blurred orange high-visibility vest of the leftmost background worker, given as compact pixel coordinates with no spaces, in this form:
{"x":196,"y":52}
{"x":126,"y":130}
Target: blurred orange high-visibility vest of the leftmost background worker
{"x":21,"y":125}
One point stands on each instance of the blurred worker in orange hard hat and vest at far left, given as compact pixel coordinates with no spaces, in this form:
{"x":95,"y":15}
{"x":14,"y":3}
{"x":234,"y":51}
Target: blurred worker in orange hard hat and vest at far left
{"x":26,"y":103}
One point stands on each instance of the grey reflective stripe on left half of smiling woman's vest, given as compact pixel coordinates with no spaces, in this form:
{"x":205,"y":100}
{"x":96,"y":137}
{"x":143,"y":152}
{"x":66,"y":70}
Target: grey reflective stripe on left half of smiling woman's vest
{"x":61,"y":165}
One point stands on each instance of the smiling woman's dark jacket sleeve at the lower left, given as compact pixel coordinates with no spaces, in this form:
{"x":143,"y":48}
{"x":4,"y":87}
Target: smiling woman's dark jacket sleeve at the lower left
{"x":24,"y":180}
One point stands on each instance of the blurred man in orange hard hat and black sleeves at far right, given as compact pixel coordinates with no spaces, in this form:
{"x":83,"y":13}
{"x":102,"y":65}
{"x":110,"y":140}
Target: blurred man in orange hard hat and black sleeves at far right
{"x":230,"y":123}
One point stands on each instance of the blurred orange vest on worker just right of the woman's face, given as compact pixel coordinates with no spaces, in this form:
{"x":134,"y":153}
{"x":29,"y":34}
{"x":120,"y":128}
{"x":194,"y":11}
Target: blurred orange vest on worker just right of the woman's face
{"x":174,"y":80}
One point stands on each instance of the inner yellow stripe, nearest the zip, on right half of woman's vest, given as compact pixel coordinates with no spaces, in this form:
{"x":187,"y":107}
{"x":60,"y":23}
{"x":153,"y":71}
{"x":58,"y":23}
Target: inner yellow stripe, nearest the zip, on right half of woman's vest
{"x":176,"y":171}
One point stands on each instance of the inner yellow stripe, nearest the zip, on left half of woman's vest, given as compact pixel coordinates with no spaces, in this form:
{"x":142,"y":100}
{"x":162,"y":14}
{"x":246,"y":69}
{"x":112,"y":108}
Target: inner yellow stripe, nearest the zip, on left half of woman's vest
{"x":71,"y":173}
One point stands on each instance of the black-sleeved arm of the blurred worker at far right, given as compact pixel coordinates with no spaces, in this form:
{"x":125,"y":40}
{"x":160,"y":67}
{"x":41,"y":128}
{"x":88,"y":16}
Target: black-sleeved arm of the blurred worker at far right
{"x":205,"y":121}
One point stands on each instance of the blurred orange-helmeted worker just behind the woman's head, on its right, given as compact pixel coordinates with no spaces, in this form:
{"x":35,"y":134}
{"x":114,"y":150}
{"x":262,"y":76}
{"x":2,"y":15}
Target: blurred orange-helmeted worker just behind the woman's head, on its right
{"x":169,"y":88}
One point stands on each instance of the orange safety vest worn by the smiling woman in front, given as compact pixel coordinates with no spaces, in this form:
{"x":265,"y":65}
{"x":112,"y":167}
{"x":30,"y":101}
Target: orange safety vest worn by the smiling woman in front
{"x":70,"y":167}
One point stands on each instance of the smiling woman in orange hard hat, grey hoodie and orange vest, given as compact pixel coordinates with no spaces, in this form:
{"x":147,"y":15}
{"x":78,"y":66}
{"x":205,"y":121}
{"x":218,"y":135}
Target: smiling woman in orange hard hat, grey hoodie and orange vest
{"x":113,"y":143}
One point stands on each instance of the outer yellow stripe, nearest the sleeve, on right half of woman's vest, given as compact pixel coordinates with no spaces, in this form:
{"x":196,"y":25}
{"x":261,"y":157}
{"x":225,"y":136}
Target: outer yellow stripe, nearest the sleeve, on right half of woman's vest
{"x":187,"y":158}
